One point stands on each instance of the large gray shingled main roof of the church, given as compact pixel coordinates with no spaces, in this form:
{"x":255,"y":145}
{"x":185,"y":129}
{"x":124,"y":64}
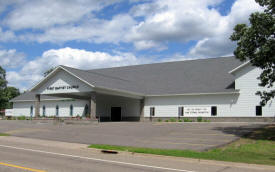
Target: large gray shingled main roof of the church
{"x":180,"y":77}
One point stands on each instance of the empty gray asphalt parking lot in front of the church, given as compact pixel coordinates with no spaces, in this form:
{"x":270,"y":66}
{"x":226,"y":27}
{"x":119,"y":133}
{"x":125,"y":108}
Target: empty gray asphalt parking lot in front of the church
{"x":195,"y":136}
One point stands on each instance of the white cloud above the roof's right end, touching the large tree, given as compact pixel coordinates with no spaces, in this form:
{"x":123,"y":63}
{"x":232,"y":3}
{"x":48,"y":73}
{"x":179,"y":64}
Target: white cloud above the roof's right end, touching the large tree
{"x":220,"y":44}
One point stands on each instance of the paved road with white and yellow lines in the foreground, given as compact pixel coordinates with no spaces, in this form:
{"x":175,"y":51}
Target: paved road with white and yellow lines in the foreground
{"x":23,"y":154}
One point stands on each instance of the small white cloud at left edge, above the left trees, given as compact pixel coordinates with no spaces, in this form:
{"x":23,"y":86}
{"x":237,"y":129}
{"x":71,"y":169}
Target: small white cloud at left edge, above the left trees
{"x":11,"y":58}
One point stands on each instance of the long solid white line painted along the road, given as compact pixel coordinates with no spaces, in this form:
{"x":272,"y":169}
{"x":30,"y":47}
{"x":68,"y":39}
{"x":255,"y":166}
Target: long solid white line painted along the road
{"x":96,"y":159}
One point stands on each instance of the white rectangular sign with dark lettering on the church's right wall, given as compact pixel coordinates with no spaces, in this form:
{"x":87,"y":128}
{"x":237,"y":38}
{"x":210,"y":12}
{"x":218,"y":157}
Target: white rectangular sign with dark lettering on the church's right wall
{"x":197,"y":111}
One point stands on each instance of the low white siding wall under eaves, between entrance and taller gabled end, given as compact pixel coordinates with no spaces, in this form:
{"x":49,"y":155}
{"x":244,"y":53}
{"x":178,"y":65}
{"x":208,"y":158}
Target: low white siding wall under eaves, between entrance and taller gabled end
{"x":168,"y":106}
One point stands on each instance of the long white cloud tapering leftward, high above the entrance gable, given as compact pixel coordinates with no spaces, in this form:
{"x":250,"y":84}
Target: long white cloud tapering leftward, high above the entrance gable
{"x":92,"y":30}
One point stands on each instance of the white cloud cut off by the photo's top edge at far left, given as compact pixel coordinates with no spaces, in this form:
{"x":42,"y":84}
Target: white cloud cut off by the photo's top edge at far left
{"x":45,"y":13}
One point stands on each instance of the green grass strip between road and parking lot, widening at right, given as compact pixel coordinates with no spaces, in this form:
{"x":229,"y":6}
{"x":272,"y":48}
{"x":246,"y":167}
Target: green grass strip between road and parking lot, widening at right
{"x":257,"y":148}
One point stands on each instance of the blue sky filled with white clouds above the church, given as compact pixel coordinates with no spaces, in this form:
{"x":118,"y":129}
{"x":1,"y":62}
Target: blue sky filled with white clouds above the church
{"x":36,"y":35}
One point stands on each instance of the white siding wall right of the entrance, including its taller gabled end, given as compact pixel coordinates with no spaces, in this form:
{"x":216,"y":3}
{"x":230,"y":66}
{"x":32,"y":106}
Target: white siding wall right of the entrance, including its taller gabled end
{"x":234,"y":105}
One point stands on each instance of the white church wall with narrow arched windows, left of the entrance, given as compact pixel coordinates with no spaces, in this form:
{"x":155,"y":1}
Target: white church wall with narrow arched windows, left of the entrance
{"x":23,"y":108}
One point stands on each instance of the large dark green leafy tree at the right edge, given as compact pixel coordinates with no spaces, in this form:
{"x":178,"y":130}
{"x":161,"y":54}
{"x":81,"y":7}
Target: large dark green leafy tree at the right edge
{"x":256,"y":42}
